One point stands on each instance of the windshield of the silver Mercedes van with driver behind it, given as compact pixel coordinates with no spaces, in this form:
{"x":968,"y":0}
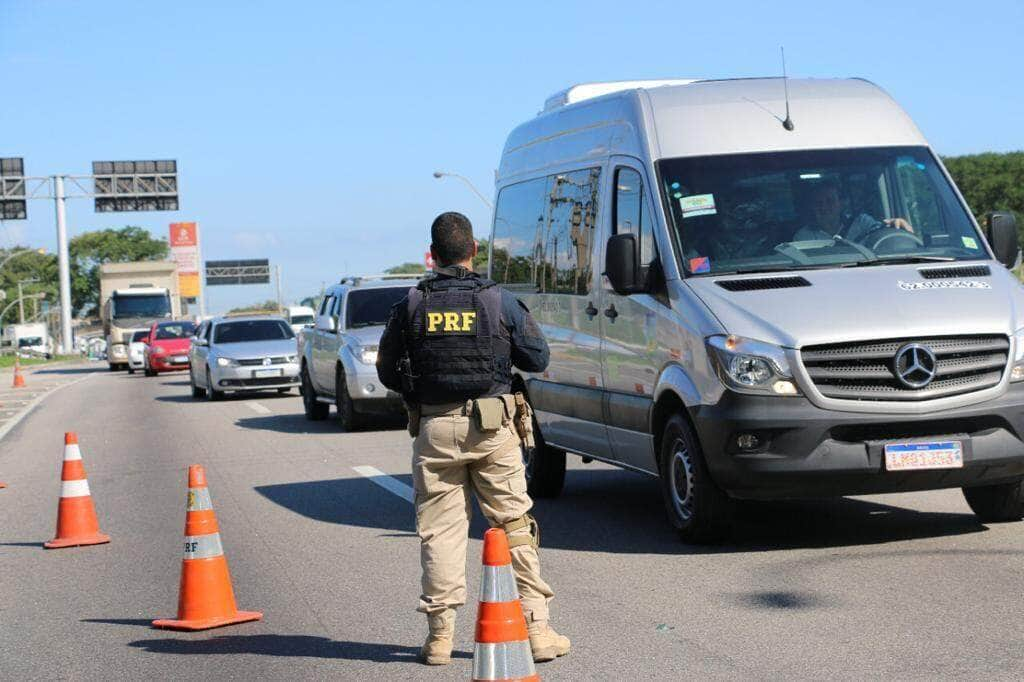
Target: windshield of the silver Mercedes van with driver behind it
{"x":799,"y":210}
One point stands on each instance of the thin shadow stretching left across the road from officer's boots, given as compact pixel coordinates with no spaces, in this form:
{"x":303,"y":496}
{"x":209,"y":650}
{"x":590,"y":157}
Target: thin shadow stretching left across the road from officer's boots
{"x":288,"y":646}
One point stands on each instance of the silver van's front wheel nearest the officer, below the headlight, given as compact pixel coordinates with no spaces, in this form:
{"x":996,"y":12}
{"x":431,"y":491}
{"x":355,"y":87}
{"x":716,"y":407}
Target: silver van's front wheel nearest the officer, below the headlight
{"x":696,"y":506}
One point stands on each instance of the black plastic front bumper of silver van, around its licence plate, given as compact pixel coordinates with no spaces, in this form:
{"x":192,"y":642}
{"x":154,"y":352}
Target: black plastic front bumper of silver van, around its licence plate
{"x":804,"y":451}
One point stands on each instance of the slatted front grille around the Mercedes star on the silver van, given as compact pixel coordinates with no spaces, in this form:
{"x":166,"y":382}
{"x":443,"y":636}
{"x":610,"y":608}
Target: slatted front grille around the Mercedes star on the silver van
{"x":868,"y":371}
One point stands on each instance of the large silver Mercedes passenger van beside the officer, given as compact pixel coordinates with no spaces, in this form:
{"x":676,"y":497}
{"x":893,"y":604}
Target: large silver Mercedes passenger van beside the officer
{"x":759,"y":289}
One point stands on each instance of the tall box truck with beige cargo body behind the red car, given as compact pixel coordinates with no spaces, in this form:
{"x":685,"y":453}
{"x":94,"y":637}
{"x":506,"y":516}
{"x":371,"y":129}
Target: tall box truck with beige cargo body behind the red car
{"x":133,"y":296}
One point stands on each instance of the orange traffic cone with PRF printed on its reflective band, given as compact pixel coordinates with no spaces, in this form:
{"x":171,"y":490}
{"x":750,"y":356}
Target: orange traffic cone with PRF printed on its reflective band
{"x":205,"y":598}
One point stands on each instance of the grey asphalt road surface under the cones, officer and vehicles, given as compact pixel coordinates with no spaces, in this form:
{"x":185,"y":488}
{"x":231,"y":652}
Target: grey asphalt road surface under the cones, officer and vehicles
{"x":885,"y":587}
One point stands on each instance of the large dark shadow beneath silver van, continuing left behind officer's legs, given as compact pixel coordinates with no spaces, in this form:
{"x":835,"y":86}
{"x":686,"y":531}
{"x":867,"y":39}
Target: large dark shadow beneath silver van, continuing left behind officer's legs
{"x":607,"y":510}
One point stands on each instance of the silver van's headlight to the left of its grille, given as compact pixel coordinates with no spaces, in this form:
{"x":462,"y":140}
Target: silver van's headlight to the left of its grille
{"x":752,"y":367}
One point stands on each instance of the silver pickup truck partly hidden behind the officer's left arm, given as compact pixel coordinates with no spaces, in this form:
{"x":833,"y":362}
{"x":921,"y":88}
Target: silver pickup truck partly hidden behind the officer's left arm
{"x":339,"y":352}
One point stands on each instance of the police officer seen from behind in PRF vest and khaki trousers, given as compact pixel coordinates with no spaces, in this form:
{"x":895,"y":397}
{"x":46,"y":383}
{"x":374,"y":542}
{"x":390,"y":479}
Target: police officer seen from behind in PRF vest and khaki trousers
{"x":450,"y":348}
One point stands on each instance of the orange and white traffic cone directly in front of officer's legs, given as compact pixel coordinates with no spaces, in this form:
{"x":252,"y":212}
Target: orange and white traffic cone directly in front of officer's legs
{"x":502,"y":651}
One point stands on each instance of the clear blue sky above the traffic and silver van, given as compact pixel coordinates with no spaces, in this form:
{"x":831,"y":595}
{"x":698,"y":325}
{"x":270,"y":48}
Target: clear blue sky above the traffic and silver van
{"x":307,"y":133}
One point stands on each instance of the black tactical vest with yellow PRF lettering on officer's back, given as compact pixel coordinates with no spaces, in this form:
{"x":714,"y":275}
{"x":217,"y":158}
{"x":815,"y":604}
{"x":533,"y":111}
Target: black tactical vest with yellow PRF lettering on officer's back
{"x":458,"y":348}
